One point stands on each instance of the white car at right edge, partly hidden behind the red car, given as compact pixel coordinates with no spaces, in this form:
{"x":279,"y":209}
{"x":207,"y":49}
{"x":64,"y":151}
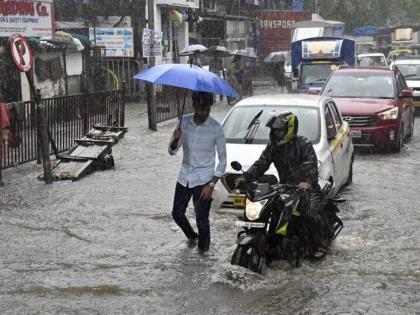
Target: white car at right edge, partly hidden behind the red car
{"x":410,"y":68}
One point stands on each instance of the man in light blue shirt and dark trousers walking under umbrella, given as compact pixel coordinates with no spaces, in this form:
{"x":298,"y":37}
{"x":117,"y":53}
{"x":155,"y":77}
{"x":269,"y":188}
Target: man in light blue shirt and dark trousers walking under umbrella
{"x":201,"y":138}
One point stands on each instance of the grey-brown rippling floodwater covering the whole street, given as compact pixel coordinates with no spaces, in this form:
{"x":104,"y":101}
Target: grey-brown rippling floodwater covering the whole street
{"x":107,"y":243}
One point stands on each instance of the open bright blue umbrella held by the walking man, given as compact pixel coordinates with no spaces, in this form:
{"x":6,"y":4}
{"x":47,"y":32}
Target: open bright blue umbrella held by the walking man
{"x":188,"y":77}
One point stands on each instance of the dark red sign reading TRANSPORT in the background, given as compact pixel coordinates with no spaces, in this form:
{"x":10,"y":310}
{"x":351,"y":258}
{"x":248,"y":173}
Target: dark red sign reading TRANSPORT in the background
{"x":275,"y":29}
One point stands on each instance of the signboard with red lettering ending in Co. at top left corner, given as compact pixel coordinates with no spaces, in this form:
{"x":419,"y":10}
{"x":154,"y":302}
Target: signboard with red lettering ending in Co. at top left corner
{"x":29,"y":18}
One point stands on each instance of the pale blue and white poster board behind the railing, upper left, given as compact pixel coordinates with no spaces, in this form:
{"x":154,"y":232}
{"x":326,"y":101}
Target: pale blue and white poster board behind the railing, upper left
{"x":116,"y":41}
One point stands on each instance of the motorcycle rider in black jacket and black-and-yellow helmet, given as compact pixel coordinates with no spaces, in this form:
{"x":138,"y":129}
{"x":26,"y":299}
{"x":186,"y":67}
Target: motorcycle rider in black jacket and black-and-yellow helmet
{"x":296,"y":162}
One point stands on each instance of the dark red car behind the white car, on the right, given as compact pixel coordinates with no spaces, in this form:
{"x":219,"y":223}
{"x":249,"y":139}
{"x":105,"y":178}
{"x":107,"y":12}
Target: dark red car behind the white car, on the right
{"x":377,"y":103}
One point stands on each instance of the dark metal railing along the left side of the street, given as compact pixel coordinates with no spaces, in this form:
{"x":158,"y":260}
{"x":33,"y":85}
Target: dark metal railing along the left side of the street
{"x":68,"y":118}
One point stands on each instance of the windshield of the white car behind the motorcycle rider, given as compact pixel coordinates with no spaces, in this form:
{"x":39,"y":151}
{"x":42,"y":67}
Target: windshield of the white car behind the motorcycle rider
{"x":236,"y":124}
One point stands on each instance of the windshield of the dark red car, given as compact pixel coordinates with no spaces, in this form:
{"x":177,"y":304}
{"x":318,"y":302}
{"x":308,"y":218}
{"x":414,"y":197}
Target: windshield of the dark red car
{"x":360,"y":85}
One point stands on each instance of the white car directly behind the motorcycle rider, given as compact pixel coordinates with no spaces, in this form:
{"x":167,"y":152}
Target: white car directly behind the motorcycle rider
{"x":319,"y":121}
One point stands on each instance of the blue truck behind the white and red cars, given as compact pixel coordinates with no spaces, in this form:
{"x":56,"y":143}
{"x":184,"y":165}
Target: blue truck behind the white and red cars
{"x":313,"y":59}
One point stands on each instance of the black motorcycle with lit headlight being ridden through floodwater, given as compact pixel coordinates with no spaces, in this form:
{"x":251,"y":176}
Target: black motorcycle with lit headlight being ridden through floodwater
{"x":274,"y":227}
